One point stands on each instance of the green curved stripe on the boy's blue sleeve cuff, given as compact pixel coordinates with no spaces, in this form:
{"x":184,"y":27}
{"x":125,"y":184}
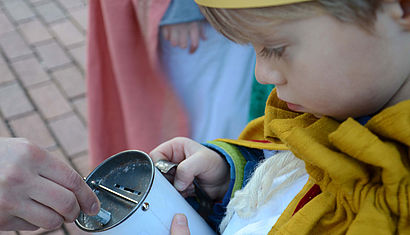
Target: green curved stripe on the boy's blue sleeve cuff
{"x":238,"y":160}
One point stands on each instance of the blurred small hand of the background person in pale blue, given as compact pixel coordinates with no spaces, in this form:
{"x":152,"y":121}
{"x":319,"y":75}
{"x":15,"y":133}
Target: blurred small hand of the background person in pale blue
{"x":181,"y":34}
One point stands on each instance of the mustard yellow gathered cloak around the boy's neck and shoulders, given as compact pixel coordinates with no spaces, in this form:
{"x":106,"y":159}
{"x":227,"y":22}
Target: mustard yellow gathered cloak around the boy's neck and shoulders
{"x":363,"y":171}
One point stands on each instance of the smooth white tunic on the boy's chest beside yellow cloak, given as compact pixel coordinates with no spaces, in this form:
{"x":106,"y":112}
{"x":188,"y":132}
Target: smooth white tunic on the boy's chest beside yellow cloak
{"x":267,"y":215}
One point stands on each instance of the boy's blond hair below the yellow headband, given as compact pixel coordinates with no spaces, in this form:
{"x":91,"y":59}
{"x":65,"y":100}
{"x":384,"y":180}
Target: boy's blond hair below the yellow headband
{"x":247,"y":25}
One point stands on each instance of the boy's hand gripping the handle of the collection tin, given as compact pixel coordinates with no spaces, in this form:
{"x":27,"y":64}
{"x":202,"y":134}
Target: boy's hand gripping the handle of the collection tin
{"x":195,"y":160}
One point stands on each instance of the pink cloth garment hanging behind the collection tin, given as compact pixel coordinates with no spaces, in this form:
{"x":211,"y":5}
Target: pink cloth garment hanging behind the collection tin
{"x":130,"y":104}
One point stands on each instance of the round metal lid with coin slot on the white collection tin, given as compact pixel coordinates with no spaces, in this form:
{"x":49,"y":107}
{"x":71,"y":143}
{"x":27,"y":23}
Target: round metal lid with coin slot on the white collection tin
{"x":121,"y":183}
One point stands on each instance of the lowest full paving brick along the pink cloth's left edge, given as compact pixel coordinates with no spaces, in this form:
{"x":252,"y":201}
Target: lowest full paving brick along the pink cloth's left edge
{"x":71,"y":134}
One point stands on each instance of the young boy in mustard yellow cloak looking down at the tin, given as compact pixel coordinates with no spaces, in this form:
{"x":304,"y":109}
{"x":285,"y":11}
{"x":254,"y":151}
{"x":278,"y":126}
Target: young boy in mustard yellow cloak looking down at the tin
{"x":341,"y":106}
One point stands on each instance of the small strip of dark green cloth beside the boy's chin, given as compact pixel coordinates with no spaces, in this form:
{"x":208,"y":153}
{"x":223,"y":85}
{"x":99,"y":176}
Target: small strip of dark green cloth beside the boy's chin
{"x":259,"y":95}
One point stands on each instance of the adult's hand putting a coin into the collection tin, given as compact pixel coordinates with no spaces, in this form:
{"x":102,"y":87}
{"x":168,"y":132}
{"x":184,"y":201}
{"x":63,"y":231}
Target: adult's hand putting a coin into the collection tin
{"x":37,"y":190}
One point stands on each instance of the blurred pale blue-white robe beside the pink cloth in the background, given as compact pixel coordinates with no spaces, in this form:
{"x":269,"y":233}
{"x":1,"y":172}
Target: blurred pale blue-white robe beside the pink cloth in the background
{"x":214,"y":83}
